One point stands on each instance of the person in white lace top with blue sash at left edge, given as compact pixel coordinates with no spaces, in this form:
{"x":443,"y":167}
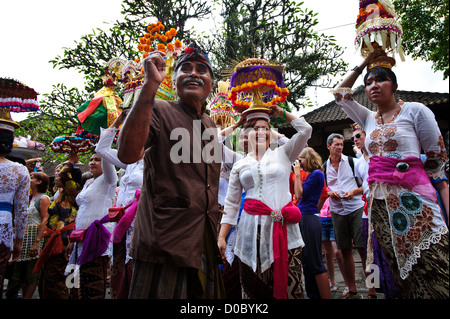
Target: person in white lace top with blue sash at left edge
{"x":14,"y":191}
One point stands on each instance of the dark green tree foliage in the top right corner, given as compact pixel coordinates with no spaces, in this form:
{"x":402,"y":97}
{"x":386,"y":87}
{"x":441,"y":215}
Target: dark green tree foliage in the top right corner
{"x":426,"y":31}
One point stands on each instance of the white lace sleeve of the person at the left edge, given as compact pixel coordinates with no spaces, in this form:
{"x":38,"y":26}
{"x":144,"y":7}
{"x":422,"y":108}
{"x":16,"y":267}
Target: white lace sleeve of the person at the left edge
{"x":21,"y":200}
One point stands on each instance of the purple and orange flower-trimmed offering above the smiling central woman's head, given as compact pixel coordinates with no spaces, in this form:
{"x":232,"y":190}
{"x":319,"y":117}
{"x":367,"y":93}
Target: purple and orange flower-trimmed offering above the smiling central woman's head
{"x":255,"y":85}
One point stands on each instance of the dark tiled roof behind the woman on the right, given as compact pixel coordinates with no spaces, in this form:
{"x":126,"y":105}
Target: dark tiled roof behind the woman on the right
{"x":331,"y":112}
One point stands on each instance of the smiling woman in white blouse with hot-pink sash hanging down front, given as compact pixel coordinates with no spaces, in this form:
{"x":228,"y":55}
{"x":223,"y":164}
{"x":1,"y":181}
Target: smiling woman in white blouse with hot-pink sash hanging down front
{"x":264,"y":175}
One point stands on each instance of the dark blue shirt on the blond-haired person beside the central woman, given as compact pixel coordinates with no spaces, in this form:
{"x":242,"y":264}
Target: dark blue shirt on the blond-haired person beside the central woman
{"x":312,"y":188}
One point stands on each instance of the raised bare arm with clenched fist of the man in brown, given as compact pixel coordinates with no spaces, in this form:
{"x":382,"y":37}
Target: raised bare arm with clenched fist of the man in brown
{"x":135,"y":130}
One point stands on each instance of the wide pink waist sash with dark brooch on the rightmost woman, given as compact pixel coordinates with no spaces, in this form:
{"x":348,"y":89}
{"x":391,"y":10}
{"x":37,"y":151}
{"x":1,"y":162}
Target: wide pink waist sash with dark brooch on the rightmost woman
{"x":408,"y":173}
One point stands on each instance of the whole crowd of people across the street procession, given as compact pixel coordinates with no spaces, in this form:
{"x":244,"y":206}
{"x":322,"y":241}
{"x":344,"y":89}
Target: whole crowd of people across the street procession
{"x":253,"y":224}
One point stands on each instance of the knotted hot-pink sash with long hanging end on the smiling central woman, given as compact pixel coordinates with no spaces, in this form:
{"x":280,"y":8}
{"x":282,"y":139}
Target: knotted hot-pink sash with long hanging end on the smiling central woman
{"x":290,"y":214}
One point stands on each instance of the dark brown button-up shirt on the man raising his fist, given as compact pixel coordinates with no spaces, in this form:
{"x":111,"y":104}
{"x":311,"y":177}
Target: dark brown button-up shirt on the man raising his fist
{"x":177,"y":200}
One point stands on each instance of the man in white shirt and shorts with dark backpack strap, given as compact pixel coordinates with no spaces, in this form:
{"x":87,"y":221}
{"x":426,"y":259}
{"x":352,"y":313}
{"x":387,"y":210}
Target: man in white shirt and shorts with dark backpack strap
{"x":346,"y":207}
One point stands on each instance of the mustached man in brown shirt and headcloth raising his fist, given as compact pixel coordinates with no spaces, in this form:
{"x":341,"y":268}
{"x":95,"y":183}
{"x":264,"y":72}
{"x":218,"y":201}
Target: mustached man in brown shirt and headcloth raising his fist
{"x":174,"y":240}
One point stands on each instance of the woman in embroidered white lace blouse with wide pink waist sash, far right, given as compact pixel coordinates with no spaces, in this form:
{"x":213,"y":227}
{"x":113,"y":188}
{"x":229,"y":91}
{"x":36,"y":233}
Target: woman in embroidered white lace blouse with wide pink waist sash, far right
{"x":404,"y":212}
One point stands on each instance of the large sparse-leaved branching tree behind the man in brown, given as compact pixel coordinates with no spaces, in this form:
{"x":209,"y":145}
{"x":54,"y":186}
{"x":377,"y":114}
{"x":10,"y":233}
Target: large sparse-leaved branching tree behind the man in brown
{"x":277,"y":30}
